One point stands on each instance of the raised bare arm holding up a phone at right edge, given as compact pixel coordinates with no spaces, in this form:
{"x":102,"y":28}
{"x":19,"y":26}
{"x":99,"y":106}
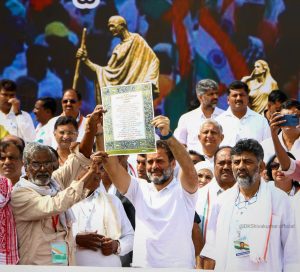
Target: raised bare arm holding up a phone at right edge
{"x":281,"y":154}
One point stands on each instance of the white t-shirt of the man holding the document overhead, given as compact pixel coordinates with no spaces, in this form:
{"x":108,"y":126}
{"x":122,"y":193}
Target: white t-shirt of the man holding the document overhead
{"x":164,"y":221}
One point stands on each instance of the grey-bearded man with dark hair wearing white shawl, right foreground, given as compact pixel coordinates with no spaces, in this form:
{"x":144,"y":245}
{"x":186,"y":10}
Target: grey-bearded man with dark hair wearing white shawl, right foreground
{"x":251,"y":227}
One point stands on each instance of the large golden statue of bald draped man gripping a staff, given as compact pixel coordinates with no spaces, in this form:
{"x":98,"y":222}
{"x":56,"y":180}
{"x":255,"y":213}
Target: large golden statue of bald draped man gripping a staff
{"x":132,"y":60}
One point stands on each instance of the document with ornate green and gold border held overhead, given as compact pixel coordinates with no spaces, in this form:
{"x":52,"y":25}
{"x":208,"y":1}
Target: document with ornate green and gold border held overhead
{"x":127,"y":122}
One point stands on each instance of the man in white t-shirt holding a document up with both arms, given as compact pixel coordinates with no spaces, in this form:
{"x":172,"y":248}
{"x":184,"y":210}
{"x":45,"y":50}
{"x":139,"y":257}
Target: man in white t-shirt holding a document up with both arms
{"x":165,"y":208}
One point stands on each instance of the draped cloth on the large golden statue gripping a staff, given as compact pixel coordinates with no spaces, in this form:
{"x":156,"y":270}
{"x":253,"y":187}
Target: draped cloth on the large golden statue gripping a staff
{"x":135,"y":62}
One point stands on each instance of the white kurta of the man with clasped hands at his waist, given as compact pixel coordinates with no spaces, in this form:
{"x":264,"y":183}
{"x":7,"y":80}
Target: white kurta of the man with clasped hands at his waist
{"x":88,"y":214}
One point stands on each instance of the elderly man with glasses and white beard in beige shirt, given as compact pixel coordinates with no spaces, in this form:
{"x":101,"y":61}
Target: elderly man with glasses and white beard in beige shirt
{"x":41,"y":209}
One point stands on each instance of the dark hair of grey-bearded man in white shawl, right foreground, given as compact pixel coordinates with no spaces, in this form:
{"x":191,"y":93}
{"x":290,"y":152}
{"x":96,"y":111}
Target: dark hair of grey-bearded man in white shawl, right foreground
{"x":248,"y":145}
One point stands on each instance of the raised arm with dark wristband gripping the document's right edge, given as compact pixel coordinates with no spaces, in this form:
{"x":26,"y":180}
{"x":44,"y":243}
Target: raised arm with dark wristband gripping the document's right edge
{"x":188,"y":175}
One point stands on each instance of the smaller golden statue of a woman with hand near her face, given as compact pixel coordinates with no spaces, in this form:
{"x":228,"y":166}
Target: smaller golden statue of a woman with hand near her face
{"x":260,"y":84}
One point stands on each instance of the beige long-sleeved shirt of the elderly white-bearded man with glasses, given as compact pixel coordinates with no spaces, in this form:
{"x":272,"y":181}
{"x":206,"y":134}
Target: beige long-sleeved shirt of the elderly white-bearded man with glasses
{"x":33,"y":214}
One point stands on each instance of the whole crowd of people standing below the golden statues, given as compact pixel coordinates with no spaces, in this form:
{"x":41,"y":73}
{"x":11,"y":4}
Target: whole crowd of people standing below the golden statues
{"x":220,"y":193}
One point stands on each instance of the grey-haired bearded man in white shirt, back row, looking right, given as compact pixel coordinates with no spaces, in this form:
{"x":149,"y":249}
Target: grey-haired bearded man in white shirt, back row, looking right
{"x":190,"y":122}
